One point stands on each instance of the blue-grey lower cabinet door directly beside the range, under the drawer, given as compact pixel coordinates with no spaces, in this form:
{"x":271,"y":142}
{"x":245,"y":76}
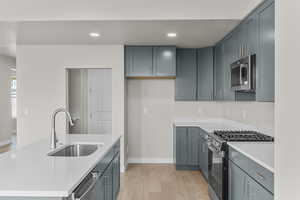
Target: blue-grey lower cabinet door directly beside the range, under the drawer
{"x":237,"y":183}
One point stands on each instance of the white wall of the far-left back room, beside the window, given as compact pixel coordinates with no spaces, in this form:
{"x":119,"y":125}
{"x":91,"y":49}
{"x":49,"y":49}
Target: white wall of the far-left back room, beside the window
{"x":5,"y":101}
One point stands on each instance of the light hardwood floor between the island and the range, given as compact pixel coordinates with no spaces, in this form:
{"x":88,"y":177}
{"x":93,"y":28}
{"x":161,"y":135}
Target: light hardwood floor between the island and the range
{"x":162,"y":182}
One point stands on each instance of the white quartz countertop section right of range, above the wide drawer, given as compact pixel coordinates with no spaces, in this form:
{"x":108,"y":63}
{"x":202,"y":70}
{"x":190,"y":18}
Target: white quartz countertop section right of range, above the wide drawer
{"x":262,"y":152}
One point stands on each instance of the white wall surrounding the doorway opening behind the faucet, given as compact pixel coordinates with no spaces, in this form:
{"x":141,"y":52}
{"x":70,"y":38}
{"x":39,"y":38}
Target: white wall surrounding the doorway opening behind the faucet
{"x":42,"y":85}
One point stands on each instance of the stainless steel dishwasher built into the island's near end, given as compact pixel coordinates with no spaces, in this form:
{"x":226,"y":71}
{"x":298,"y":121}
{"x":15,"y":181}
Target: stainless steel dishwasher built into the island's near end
{"x":88,"y":188}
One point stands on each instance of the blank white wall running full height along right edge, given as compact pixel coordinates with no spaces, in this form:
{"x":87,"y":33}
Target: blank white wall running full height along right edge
{"x":287,"y":98}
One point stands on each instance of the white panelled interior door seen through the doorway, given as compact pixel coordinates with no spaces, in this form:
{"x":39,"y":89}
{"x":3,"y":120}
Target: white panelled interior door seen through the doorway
{"x":99,"y":101}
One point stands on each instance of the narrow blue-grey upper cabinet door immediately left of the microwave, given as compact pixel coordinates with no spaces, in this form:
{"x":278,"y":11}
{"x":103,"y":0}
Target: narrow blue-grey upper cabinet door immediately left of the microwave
{"x":229,"y":44}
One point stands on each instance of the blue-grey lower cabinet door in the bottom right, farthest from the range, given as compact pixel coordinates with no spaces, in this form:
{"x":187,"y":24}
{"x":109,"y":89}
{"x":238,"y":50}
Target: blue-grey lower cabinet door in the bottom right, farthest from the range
{"x":256,"y":191}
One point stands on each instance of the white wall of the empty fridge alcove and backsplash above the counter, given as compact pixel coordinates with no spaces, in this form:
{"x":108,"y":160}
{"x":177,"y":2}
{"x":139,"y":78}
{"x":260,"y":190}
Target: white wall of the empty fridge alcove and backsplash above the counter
{"x":152,"y":109}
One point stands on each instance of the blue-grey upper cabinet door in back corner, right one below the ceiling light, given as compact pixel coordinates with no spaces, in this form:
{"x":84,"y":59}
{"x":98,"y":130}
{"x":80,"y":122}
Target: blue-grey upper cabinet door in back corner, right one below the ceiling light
{"x":205,"y":74}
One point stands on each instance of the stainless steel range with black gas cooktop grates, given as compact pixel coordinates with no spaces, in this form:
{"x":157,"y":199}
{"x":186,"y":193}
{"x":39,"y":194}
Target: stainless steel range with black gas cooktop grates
{"x":218,"y":158}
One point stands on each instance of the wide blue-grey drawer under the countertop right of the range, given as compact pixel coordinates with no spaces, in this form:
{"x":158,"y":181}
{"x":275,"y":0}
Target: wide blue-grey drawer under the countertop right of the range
{"x":253,"y":169}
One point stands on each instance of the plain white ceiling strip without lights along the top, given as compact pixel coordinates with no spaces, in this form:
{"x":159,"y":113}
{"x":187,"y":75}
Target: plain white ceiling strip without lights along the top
{"x":40,"y":10}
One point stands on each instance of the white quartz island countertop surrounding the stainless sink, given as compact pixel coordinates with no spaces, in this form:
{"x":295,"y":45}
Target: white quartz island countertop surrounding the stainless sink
{"x":29,"y":172}
